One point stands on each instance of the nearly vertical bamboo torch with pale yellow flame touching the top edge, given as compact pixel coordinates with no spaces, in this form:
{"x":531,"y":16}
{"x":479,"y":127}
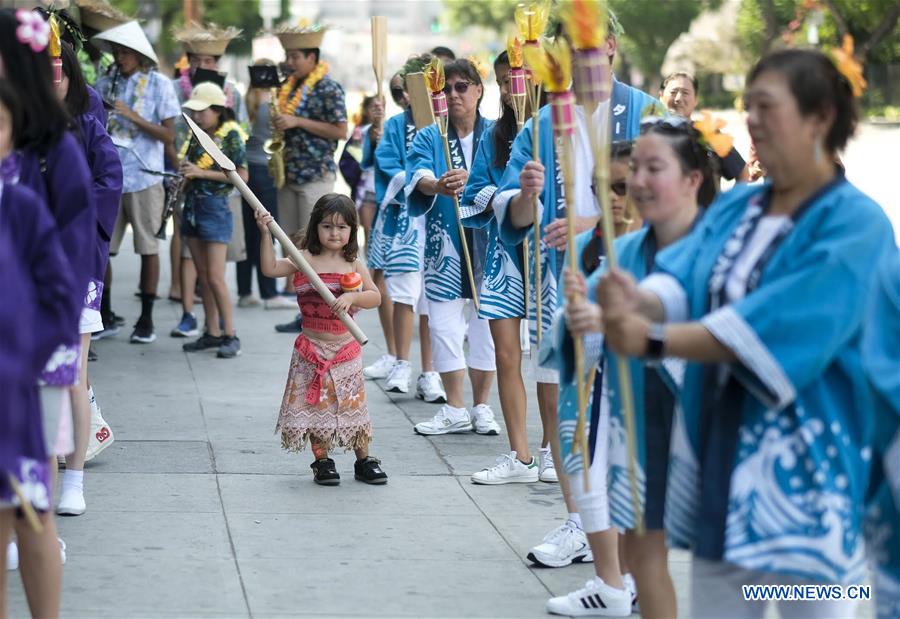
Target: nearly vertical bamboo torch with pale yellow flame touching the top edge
{"x":531,"y":20}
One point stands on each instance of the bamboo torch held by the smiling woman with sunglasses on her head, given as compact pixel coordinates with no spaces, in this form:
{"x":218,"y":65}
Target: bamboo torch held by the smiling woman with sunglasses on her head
{"x":554,"y":65}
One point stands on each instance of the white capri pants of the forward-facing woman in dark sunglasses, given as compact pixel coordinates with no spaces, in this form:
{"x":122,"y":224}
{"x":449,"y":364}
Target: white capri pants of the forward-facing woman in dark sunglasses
{"x":450,"y":322}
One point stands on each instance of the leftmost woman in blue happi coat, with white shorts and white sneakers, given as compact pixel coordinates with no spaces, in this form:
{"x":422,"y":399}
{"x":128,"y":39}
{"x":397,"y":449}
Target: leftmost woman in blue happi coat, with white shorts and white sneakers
{"x":403,"y":248}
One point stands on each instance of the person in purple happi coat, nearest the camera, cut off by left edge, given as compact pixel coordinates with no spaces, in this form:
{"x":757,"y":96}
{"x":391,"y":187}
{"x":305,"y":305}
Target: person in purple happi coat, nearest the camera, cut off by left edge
{"x":38,"y":311}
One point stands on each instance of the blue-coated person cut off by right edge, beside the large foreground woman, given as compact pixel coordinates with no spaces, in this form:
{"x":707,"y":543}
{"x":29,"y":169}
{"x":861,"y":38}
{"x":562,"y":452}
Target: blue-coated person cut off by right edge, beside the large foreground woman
{"x":881,"y":359}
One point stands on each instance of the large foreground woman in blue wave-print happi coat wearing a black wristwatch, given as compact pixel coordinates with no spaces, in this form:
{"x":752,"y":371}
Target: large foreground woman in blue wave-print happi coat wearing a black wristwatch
{"x":766,"y":299}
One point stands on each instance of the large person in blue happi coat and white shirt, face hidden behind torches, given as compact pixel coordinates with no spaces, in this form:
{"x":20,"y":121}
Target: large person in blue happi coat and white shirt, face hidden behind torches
{"x":618,"y":118}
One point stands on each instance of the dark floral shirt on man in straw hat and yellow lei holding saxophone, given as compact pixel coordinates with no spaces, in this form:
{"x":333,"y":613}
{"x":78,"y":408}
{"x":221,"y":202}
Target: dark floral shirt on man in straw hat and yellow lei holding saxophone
{"x":307,"y":156}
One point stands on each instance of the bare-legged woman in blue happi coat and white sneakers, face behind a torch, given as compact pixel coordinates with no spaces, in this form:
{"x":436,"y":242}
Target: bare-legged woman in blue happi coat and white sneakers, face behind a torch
{"x":502,"y":294}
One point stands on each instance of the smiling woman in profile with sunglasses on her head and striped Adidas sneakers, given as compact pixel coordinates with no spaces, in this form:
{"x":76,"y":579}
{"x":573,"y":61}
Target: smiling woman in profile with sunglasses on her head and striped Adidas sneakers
{"x":670,"y":183}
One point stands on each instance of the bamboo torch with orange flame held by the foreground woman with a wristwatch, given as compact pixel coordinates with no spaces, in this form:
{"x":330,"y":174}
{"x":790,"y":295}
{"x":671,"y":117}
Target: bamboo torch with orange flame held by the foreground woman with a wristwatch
{"x":586,"y":23}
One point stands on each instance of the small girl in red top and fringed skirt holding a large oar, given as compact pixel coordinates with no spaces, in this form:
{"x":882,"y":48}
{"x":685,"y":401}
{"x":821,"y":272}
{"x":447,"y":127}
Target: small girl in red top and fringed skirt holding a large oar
{"x":324,"y":399}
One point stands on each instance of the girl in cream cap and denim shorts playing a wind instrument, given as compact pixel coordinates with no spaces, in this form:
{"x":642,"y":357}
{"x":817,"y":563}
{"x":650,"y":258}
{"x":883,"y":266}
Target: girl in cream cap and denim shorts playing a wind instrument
{"x":206,"y":223}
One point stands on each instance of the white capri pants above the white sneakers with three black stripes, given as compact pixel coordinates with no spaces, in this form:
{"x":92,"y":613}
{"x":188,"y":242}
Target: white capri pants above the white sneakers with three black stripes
{"x":593,"y":505}
